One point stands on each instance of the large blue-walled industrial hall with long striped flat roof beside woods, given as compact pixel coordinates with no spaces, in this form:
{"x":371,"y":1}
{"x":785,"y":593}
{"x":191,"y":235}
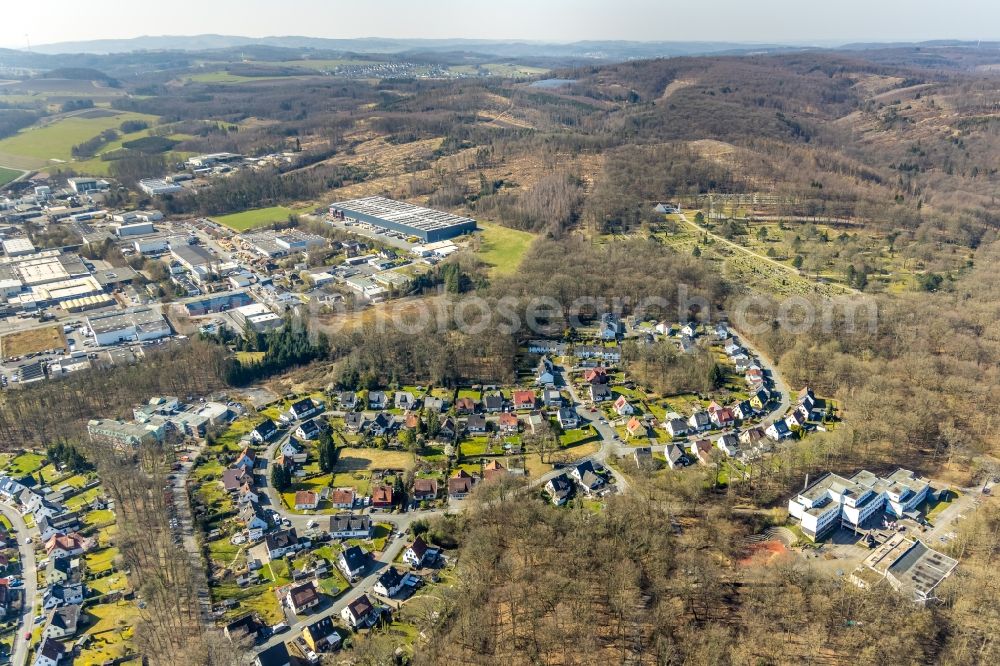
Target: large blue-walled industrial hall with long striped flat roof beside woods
{"x":425,"y":223}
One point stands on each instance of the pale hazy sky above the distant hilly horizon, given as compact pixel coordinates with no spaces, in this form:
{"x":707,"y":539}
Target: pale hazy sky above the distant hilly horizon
{"x":788,"y":21}
